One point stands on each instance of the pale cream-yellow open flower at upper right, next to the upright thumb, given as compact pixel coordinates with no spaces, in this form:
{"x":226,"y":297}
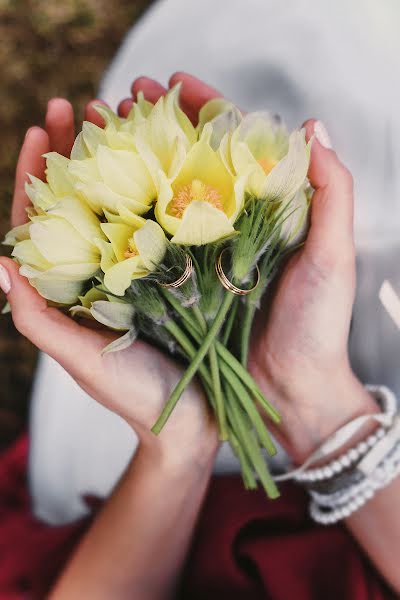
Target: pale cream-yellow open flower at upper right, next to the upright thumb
{"x":276,"y":164}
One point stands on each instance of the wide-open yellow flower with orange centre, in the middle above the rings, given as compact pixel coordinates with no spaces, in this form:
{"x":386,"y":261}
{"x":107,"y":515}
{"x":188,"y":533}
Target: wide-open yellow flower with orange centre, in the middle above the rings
{"x":201,"y":204}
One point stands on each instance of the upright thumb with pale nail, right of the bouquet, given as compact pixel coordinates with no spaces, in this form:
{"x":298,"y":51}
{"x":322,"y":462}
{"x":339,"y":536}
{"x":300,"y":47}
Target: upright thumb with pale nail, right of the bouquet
{"x":332,"y":207}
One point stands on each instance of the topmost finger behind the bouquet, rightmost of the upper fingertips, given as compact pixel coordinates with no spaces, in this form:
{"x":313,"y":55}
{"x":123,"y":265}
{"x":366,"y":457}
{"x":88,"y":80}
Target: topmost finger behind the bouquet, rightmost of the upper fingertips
{"x":194,"y":93}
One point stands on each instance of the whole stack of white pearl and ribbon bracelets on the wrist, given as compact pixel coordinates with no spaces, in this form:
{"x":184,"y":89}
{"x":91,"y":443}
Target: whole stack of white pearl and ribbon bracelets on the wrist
{"x":342,"y":486}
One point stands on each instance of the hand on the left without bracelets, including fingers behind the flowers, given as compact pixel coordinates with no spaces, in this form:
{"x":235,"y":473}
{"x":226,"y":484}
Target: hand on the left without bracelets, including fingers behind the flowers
{"x":134,"y":383}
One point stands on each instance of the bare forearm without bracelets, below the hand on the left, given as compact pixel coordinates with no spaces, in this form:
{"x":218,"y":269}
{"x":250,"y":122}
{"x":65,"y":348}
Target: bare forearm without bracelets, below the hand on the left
{"x":137,"y":544}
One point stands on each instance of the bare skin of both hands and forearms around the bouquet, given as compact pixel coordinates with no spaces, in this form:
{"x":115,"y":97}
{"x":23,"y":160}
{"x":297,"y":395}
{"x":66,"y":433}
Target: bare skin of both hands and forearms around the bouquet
{"x":299,"y":357}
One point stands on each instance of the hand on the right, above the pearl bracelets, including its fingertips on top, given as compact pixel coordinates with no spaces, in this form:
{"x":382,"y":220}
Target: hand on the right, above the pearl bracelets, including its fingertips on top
{"x":299,"y":354}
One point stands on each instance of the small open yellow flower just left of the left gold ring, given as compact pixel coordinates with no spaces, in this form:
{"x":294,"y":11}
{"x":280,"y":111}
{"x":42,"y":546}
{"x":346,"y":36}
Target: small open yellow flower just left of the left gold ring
{"x":133,"y":251}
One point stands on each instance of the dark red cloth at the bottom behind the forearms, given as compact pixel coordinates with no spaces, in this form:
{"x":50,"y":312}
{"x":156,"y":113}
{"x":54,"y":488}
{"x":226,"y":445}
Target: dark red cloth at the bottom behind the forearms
{"x":244,"y":548}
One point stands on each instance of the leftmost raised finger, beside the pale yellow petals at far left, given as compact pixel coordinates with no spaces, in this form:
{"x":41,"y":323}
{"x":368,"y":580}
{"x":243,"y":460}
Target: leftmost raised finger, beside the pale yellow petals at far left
{"x":30,"y":161}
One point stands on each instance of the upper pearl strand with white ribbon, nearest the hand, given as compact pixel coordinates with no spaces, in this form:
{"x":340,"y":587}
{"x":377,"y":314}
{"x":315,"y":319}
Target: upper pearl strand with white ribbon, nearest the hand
{"x":387,"y":402}
